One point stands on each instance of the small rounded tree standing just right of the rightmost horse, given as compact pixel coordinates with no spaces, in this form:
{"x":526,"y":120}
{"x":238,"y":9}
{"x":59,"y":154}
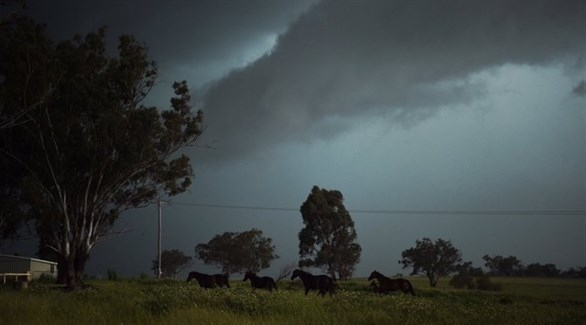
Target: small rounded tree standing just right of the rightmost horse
{"x":435,"y":259}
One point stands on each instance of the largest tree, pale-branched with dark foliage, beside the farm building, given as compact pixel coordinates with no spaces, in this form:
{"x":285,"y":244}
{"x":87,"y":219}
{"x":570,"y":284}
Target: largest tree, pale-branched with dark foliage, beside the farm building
{"x":87,"y":146}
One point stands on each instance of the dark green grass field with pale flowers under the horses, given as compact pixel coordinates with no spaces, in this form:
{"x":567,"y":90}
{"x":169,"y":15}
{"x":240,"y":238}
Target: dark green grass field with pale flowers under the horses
{"x":522,"y":301}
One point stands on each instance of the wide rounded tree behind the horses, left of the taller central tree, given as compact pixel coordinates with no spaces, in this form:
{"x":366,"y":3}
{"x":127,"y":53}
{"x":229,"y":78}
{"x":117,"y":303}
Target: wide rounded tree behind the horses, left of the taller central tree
{"x":238,"y":252}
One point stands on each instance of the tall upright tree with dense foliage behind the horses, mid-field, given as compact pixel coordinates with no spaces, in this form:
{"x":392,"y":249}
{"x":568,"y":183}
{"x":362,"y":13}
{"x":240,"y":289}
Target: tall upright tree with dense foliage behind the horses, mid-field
{"x":328,"y":240}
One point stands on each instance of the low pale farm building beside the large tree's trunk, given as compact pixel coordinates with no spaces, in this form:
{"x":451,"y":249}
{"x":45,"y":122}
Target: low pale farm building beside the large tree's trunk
{"x":12,"y":266}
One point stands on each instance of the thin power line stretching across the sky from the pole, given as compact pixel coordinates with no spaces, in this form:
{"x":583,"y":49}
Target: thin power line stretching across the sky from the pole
{"x":412,"y":212}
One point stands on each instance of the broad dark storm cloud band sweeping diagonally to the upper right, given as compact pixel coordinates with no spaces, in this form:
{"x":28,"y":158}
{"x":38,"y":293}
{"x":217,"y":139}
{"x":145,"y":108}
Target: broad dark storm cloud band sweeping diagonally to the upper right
{"x":398,"y":60}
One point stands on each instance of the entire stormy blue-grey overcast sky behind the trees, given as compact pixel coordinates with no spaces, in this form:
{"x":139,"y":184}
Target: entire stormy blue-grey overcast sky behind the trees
{"x":400,"y":105}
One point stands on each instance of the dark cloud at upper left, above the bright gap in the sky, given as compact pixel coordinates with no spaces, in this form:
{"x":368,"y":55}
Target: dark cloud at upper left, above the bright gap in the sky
{"x":178,"y":33}
